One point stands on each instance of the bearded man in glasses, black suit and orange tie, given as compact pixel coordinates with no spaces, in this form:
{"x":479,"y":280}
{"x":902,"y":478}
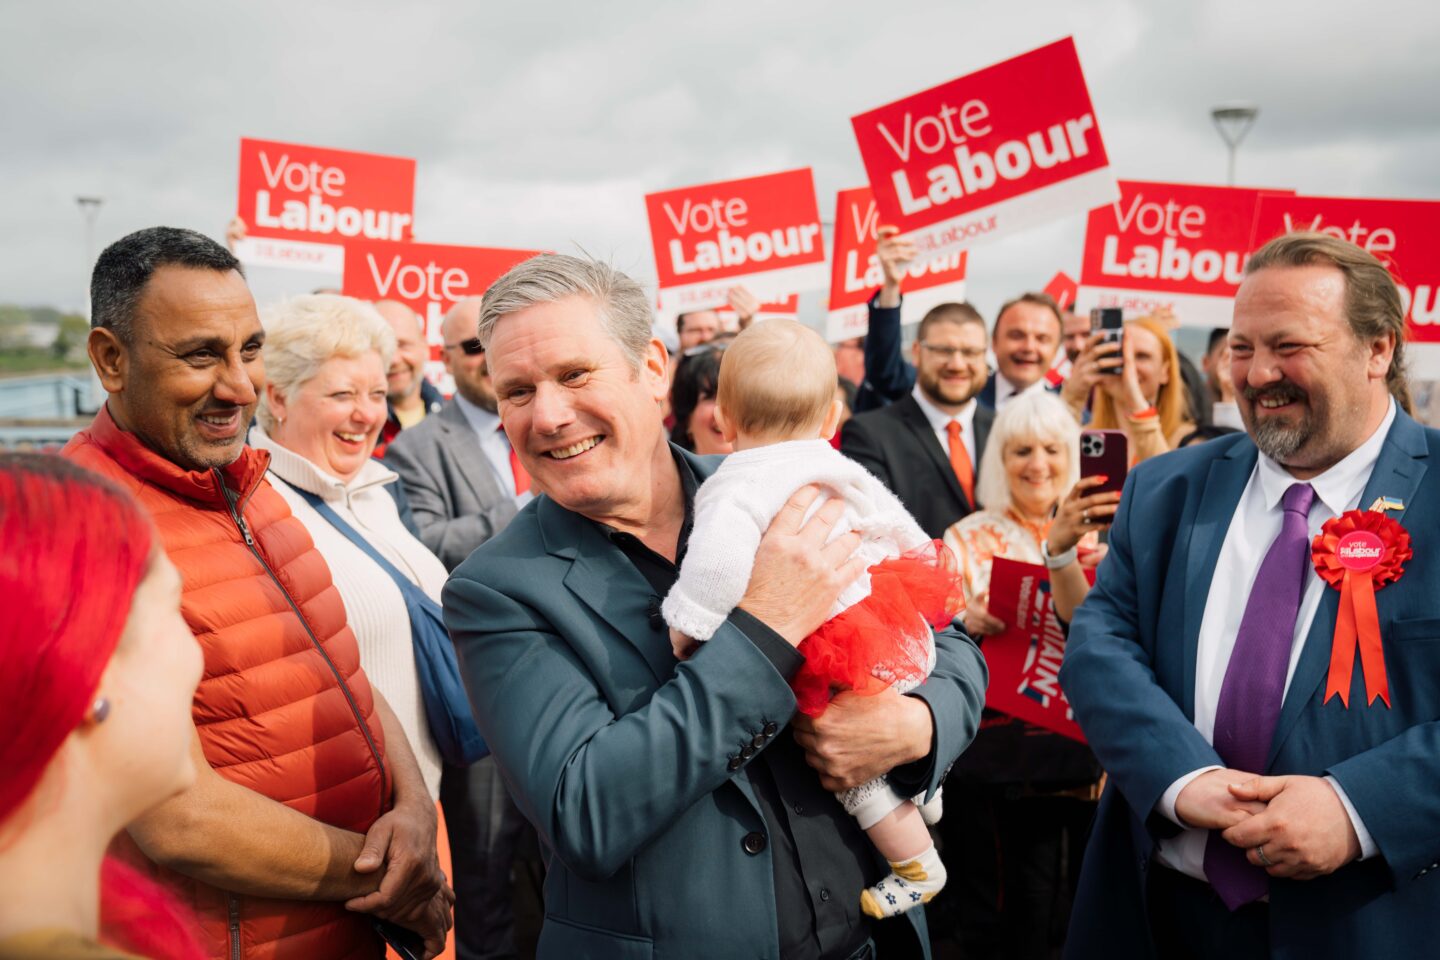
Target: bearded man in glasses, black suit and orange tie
{"x":927,"y":445}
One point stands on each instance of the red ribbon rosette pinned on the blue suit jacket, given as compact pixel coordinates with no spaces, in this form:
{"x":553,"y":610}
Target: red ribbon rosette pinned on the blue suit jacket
{"x":1359,"y":553}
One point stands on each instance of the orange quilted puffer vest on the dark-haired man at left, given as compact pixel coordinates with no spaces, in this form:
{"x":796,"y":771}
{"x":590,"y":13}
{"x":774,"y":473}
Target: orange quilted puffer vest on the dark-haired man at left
{"x":284,"y":707}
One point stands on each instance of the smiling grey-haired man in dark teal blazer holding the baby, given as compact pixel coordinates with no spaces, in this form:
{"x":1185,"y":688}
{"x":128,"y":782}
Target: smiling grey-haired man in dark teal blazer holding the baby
{"x":685,"y":808}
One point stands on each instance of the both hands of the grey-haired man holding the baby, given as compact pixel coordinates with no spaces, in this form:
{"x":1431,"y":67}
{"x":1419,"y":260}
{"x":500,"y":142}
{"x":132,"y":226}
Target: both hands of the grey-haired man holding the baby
{"x":798,"y":575}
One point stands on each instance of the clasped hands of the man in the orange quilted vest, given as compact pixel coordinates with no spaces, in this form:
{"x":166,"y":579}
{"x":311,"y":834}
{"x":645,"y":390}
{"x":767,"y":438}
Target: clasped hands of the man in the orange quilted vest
{"x":413,"y":892}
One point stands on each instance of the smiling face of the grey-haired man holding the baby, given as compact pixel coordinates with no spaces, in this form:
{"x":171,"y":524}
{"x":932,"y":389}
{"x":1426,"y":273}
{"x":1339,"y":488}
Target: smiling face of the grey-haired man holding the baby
{"x":585,"y":422}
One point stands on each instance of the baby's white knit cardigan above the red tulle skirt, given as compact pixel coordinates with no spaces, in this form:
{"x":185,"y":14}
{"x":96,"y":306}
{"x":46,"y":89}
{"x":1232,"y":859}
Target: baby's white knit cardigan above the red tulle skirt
{"x":735,"y":507}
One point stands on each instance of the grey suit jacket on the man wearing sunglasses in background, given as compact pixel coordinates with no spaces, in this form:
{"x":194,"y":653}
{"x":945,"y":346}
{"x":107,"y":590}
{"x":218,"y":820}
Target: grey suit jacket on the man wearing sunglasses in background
{"x":456,"y":497}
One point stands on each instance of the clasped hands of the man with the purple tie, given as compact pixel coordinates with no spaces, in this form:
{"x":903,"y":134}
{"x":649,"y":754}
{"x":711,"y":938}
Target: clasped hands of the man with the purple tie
{"x":1300,"y":823}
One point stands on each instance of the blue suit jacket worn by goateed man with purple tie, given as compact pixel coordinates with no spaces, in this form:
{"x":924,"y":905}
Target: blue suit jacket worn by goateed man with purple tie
{"x":1130,"y":674}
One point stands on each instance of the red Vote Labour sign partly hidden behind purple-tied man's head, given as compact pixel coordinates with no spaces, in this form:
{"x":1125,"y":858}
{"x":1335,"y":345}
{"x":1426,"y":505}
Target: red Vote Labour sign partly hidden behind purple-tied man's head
{"x":1402,"y":234}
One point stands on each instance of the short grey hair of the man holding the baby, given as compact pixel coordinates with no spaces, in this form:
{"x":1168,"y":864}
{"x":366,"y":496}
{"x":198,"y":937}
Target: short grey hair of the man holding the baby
{"x":620,"y":302}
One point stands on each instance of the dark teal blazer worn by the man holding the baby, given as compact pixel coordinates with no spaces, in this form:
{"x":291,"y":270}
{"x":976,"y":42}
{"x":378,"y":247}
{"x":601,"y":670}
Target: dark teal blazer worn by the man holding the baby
{"x":621,"y":756}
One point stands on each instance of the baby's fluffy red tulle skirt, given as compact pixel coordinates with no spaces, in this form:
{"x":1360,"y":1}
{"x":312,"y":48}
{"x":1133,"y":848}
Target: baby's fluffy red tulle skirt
{"x":883,"y":640}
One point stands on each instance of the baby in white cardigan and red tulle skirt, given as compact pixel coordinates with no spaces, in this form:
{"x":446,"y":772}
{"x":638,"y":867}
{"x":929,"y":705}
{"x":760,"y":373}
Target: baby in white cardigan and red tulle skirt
{"x":777,"y":405}
